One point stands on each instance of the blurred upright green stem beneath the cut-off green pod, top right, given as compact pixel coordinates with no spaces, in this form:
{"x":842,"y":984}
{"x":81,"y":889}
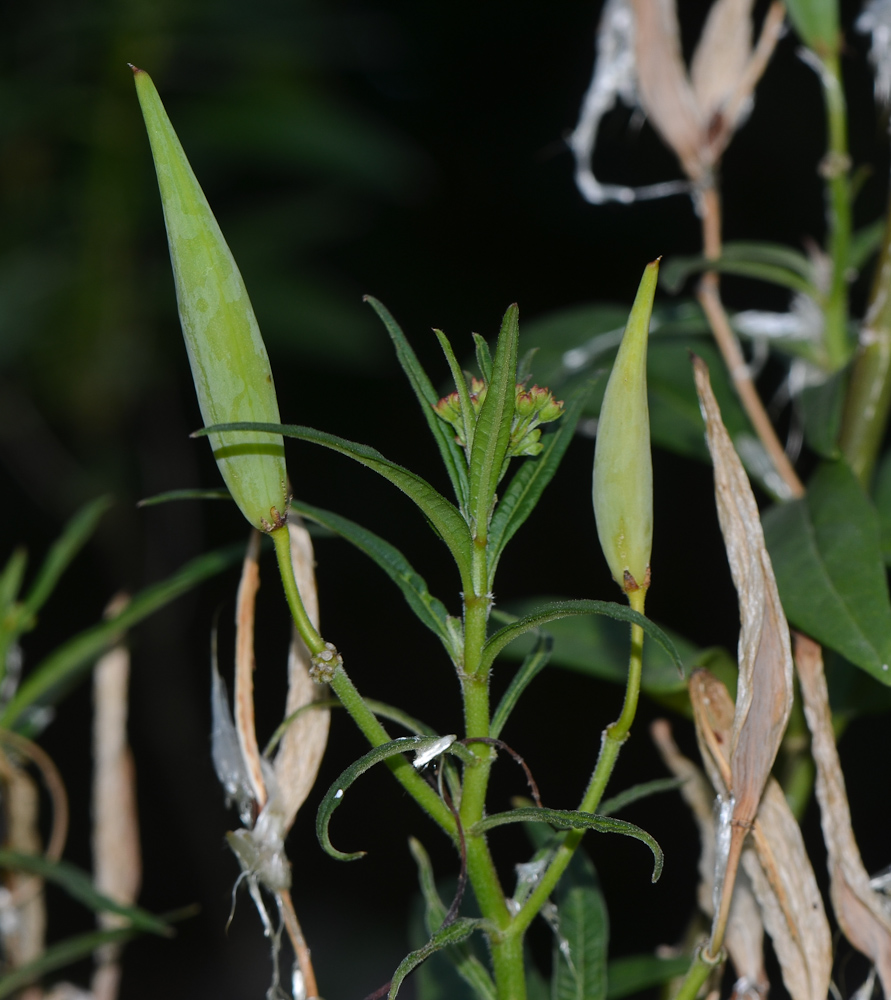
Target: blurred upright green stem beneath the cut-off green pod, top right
{"x":835,"y":168}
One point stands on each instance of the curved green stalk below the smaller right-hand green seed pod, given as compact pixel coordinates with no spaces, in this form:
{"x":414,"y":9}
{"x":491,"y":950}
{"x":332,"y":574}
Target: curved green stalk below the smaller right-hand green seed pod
{"x":613,"y":737}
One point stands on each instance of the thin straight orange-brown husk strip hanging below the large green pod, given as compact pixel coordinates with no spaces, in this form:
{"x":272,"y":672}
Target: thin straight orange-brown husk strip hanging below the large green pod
{"x":244,"y":668}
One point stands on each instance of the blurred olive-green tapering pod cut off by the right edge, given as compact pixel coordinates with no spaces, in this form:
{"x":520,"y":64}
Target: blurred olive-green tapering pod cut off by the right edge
{"x":868,"y":399}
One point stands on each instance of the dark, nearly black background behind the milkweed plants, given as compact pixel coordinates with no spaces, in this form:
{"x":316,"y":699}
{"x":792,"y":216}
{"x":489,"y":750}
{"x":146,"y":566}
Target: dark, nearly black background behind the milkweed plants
{"x":415,"y":152}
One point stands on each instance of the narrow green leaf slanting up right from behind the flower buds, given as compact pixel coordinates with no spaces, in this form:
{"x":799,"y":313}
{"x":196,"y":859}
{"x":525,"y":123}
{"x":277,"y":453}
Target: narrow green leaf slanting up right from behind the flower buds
{"x":532,"y":478}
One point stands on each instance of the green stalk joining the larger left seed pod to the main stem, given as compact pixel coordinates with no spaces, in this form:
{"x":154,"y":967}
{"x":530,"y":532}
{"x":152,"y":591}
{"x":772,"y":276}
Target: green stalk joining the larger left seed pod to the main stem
{"x":426,"y":797}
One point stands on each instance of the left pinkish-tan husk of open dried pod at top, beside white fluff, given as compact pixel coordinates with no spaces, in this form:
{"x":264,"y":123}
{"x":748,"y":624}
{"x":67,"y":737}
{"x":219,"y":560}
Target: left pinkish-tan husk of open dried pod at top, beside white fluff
{"x":665,"y":91}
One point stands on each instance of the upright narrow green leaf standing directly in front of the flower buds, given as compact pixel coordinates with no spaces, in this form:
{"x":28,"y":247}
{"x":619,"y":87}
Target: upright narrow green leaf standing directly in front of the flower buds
{"x":492,"y":435}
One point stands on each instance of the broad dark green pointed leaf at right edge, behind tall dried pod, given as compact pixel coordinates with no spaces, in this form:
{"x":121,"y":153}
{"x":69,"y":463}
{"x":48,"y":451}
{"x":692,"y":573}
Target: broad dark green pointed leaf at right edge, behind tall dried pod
{"x":827,"y":557}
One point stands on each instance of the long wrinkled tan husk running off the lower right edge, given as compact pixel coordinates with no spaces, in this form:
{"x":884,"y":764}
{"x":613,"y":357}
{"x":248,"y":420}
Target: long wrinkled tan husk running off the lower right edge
{"x":860,"y":911}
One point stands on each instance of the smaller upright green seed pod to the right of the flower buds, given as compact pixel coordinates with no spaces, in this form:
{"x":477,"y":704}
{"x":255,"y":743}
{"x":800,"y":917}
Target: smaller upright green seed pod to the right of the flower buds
{"x":623,"y":468}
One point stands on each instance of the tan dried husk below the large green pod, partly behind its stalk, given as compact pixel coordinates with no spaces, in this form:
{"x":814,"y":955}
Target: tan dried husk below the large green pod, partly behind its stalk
{"x":303,"y":745}
